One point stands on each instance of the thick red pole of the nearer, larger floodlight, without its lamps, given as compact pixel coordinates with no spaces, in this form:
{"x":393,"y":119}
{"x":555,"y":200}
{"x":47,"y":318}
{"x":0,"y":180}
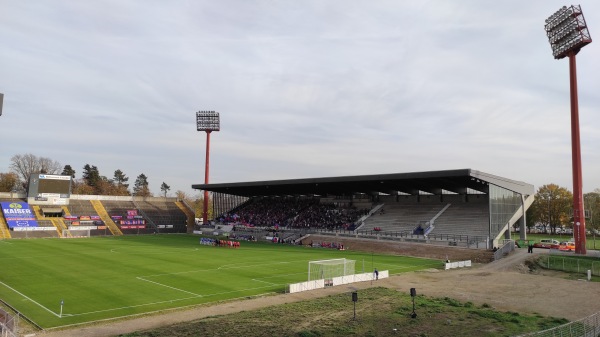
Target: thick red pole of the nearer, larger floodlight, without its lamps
{"x":578,"y":213}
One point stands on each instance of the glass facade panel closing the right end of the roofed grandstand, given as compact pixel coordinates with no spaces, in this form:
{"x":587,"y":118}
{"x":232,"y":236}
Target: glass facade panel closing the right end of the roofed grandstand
{"x":503,"y":205}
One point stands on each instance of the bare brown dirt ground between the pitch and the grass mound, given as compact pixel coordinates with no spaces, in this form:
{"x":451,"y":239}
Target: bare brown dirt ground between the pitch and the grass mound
{"x":508,"y":285}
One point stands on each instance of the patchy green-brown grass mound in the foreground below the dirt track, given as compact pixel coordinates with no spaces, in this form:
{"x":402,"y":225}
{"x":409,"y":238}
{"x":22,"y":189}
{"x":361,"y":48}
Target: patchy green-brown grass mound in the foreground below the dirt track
{"x":379,"y":312}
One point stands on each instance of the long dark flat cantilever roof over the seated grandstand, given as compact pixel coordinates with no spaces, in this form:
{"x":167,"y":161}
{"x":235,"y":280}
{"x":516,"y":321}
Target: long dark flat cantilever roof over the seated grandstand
{"x":457,"y":181}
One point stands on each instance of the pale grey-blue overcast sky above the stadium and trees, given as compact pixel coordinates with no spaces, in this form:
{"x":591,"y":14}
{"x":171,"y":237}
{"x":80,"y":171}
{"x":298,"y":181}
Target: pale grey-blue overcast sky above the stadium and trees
{"x":304,"y":89}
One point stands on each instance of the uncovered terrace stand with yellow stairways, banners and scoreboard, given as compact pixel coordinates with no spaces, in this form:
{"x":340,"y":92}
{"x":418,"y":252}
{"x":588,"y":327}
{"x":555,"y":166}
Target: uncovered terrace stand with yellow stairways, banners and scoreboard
{"x":49,"y":209}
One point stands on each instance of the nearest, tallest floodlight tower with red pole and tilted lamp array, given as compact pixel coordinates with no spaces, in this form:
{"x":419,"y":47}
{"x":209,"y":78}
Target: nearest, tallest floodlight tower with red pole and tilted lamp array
{"x":568,"y":33}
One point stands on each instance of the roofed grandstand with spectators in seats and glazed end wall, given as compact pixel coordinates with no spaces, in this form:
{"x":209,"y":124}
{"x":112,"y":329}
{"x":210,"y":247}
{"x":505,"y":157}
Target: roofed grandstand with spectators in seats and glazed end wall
{"x":463,"y":207}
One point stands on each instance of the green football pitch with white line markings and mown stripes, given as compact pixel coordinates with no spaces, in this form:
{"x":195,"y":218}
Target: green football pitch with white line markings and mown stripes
{"x":60,"y":282}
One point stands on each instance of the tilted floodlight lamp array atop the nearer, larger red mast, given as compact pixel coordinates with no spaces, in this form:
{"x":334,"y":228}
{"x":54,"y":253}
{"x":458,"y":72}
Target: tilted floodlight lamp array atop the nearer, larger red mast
{"x":567,"y":31}
